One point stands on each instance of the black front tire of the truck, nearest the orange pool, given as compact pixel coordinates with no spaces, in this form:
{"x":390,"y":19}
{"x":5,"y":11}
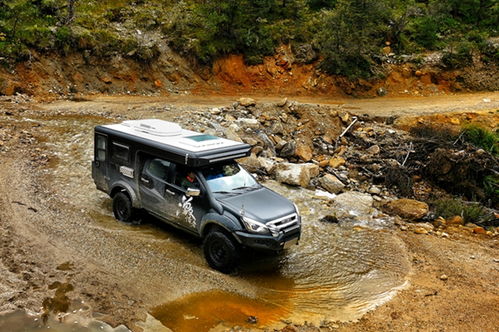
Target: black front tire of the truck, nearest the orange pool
{"x":221,"y":252}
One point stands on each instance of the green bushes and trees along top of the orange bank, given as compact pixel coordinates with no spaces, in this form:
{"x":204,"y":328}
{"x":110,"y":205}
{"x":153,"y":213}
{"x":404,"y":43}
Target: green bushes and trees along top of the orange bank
{"x":349,"y":37}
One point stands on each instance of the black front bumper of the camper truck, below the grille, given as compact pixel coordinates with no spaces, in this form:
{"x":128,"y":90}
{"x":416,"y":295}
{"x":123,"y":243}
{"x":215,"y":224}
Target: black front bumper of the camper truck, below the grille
{"x":267,"y":242}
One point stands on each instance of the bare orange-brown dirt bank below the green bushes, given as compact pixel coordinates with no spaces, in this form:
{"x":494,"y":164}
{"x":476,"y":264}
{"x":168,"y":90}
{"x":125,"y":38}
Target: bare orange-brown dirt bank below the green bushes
{"x":50,"y":76}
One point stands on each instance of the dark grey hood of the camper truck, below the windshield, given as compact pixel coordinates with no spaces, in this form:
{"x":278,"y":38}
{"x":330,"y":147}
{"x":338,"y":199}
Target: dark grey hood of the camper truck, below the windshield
{"x":262,"y":204}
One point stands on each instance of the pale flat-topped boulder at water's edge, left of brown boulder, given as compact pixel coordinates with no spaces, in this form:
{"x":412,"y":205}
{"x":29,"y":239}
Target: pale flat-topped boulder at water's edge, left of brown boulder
{"x":353,"y":204}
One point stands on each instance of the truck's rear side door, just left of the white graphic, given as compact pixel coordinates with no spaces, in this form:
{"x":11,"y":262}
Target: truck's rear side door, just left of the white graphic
{"x":154,"y":194}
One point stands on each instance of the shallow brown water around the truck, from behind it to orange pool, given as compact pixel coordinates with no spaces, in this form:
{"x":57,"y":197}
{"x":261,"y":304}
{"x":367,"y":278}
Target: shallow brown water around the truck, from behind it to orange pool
{"x":336,"y":273}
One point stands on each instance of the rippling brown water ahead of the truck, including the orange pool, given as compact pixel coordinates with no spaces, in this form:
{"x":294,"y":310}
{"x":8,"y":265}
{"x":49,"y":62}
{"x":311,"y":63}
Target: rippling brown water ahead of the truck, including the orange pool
{"x":336,"y":273}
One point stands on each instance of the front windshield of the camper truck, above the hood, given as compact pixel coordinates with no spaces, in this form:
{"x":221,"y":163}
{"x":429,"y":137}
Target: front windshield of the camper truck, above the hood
{"x":228,"y":177}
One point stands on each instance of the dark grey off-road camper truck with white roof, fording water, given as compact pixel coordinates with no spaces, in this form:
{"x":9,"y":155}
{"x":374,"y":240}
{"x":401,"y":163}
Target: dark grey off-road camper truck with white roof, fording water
{"x":143,"y":164}
